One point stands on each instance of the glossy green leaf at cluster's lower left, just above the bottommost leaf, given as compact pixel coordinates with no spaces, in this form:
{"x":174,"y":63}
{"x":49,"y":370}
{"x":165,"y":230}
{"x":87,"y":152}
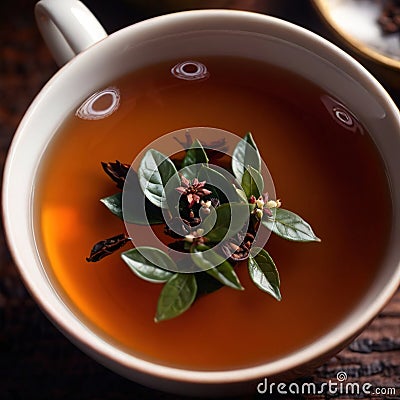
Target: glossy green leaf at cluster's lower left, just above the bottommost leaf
{"x":148,"y":263}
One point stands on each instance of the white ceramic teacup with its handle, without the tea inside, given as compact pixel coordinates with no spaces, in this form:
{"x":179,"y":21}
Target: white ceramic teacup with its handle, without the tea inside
{"x":69,"y":28}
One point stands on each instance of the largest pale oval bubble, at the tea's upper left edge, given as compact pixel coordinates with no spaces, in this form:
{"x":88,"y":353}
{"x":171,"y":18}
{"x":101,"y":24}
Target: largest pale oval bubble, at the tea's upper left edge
{"x":100,"y":104}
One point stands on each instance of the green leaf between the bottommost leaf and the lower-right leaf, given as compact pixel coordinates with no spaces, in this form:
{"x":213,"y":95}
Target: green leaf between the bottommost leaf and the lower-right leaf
{"x":216,"y":266}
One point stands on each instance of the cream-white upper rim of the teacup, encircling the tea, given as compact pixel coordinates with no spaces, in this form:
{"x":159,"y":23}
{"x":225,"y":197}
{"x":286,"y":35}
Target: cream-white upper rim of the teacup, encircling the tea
{"x":89,"y":341}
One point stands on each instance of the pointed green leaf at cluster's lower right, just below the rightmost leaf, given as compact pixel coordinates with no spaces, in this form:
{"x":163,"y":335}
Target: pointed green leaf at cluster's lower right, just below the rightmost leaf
{"x":264,"y":274}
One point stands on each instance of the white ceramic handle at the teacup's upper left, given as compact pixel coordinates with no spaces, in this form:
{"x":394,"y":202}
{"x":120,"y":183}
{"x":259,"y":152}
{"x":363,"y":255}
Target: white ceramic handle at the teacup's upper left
{"x":68,"y":27}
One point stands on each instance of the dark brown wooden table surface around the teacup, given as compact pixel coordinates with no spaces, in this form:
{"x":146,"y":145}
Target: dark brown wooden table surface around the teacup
{"x":36,"y":361}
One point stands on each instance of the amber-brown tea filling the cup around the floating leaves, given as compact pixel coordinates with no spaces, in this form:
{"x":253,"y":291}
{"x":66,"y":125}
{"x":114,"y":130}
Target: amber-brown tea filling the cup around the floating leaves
{"x":320,"y":168}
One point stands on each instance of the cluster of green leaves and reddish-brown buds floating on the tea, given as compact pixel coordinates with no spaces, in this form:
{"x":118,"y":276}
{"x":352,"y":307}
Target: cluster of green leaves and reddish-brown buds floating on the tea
{"x":215,"y":232}
